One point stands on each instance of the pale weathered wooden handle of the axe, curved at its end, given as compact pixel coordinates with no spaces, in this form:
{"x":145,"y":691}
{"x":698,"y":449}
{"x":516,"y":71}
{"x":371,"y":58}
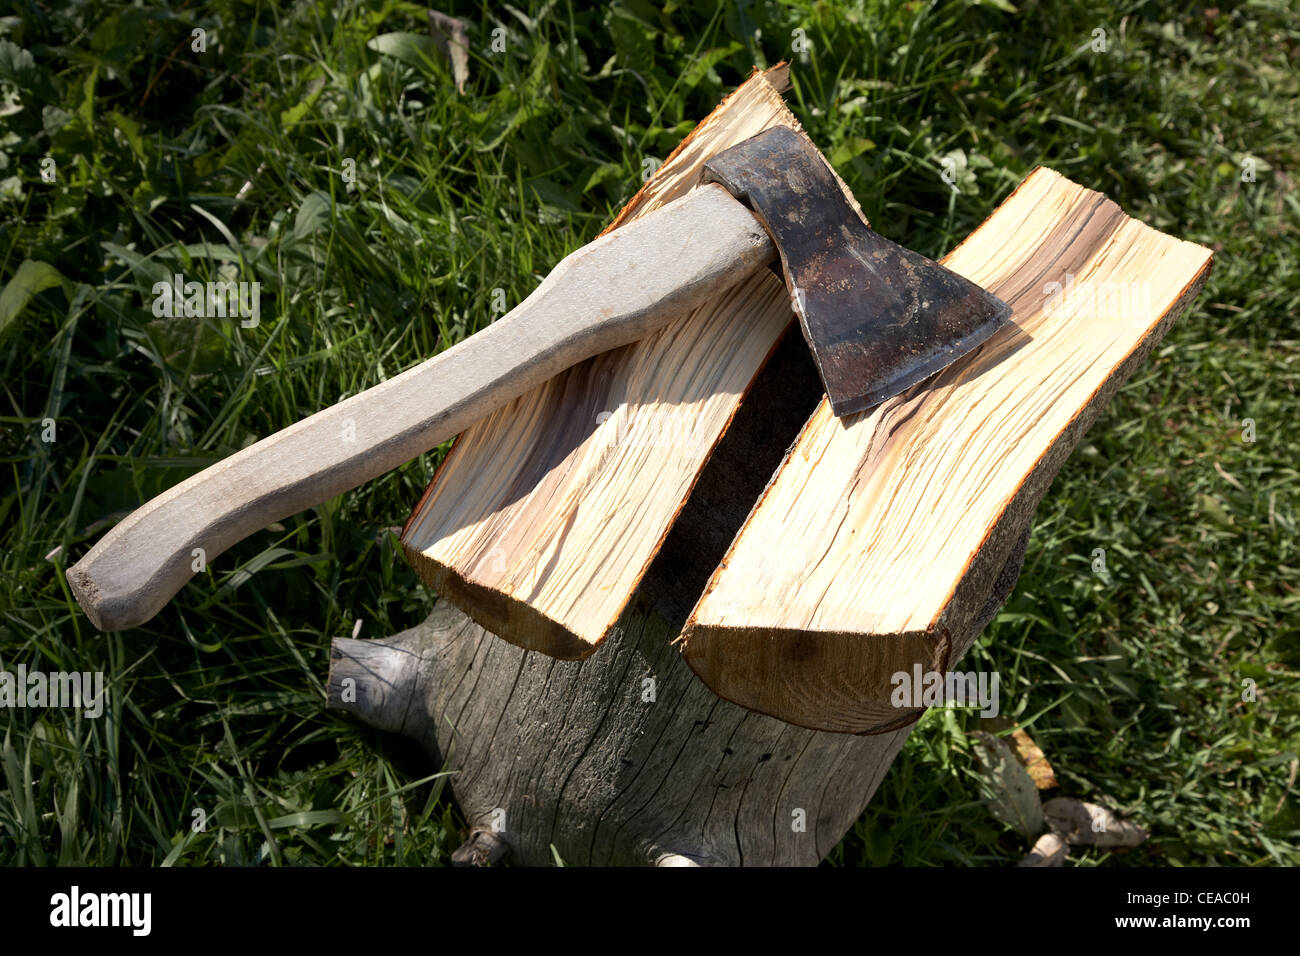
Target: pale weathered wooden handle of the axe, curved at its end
{"x":610,"y":293}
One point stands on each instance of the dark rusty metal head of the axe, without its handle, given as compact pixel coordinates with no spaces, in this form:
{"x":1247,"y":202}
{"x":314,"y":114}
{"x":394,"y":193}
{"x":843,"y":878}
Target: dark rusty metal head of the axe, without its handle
{"x":878,"y":318}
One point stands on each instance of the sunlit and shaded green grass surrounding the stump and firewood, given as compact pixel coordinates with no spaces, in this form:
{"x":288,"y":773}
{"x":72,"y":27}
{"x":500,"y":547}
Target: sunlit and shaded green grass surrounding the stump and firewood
{"x":231,"y":163}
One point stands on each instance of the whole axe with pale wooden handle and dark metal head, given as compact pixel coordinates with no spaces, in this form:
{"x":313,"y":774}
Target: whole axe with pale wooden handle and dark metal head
{"x":878,"y":319}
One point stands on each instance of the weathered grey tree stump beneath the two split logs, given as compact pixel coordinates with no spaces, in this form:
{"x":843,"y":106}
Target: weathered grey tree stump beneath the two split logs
{"x":621,"y":759}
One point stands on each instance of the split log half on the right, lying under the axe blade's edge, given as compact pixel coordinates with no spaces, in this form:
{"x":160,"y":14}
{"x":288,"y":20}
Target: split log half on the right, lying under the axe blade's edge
{"x":861,"y":559}
